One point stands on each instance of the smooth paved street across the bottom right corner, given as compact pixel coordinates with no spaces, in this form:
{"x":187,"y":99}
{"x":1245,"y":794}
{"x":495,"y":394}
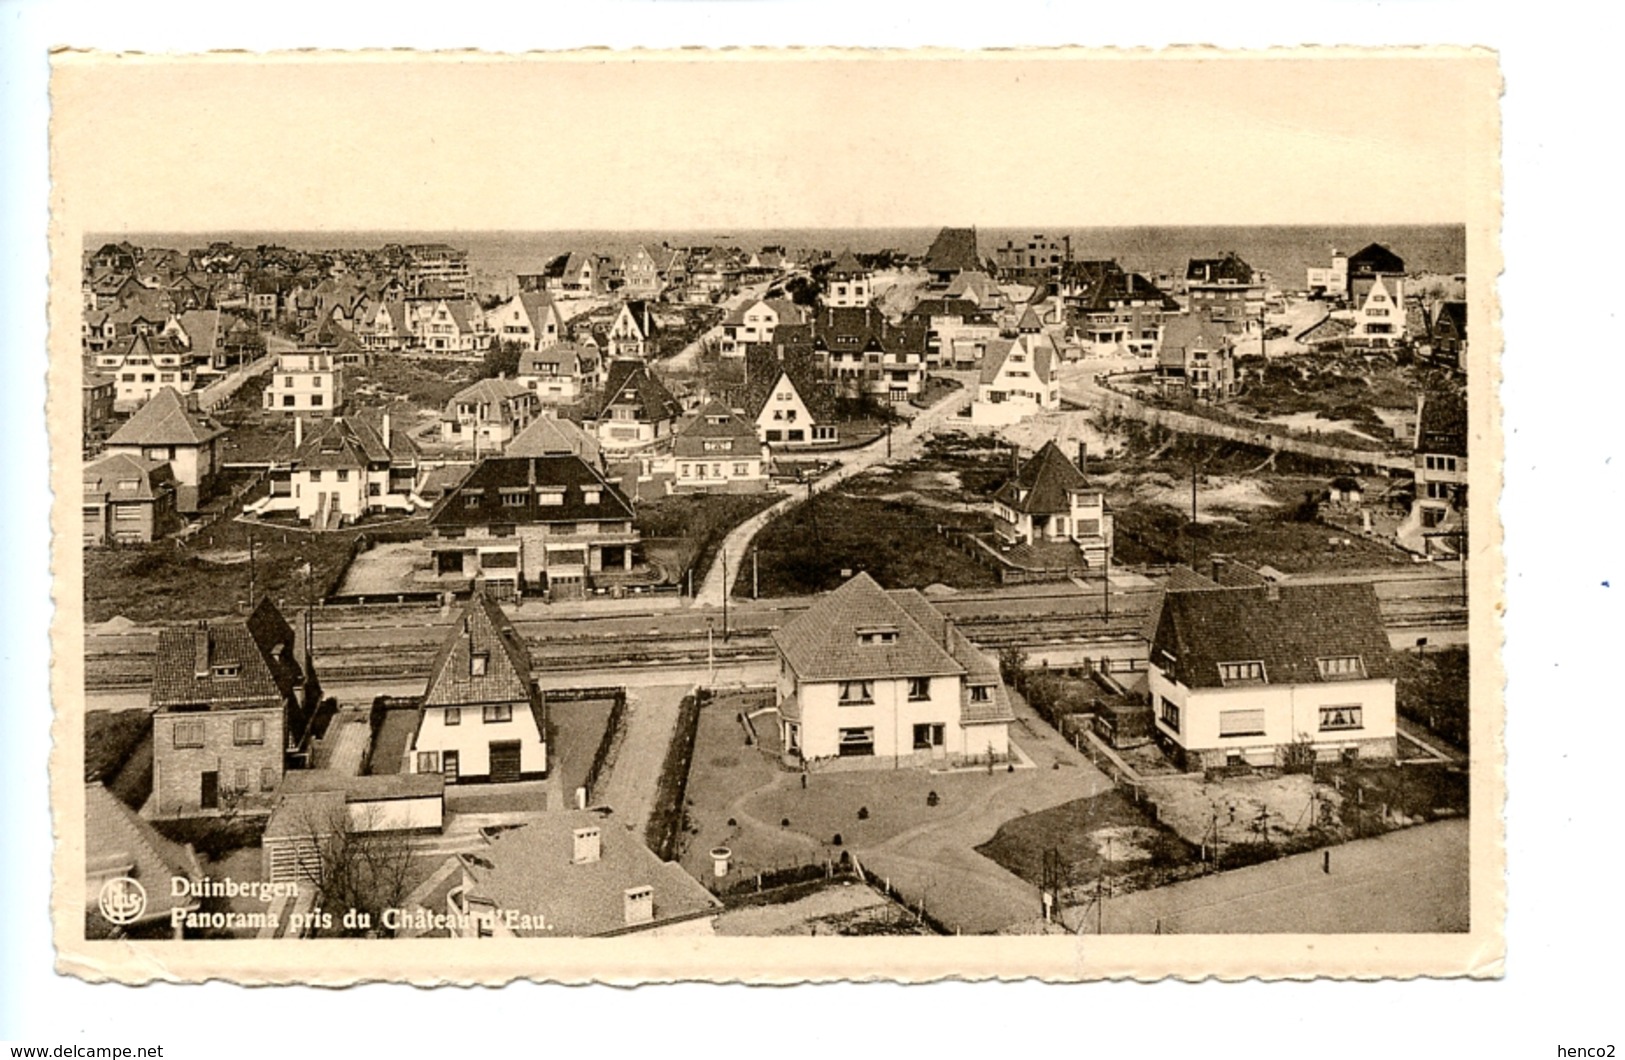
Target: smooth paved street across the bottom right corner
{"x":1413,"y":880}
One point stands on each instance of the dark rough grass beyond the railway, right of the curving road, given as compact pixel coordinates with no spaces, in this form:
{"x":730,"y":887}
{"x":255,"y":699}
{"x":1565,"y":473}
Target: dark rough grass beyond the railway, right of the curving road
{"x":810,"y":547}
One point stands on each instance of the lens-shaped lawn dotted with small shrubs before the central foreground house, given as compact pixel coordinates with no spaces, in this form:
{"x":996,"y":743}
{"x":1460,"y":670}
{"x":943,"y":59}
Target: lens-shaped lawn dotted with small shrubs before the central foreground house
{"x":896,"y":801}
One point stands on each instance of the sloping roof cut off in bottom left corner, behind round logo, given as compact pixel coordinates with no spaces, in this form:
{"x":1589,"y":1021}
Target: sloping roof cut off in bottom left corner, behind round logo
{"x":119,"y":843}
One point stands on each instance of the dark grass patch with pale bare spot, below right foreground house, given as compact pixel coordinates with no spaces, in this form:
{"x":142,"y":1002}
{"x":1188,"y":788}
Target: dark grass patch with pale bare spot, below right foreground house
{"x":1078,"y":832}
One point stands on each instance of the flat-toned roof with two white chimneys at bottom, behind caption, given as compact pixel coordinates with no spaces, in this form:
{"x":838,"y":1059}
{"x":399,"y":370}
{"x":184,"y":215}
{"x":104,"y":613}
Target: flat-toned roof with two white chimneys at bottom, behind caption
{"x":532,"y":871}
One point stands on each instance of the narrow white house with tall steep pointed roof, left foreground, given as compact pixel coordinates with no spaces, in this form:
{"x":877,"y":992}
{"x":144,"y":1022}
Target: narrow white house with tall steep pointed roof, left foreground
{"x":482,"y":718}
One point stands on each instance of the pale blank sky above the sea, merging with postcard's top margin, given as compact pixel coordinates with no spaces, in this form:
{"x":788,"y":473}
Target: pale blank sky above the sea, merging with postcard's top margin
{"x":625,"y":141}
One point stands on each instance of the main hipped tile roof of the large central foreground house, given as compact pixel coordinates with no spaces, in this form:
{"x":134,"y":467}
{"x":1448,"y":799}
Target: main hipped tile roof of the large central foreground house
{"x":823,"y":643}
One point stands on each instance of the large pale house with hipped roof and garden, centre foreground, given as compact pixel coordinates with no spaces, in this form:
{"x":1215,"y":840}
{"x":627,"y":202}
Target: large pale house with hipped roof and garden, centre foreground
{"x":882,"y":679}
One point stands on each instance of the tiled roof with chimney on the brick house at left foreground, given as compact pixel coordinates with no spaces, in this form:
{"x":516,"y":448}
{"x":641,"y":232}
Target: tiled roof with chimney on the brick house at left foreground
{"x":262,"y":649}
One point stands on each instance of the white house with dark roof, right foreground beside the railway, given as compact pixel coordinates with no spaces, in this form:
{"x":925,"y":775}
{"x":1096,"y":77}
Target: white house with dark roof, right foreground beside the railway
{"x":1239,"y":676}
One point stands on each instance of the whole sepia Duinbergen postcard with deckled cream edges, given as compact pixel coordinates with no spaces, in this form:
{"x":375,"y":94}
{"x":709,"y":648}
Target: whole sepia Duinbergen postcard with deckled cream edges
{"x":778,"y":516}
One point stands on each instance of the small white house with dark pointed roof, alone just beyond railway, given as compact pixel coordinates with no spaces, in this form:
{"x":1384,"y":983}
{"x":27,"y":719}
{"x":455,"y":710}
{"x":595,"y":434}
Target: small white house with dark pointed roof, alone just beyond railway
{"x":1051,"y":500}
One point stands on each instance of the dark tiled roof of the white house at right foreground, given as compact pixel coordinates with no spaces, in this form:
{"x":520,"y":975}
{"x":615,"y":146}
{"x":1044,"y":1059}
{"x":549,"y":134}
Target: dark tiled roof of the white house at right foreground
{"x":1288,"y":628}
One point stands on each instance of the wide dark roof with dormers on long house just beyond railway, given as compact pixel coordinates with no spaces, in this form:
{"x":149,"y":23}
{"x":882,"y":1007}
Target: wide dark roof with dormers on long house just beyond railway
{"x":483,"y":498}
